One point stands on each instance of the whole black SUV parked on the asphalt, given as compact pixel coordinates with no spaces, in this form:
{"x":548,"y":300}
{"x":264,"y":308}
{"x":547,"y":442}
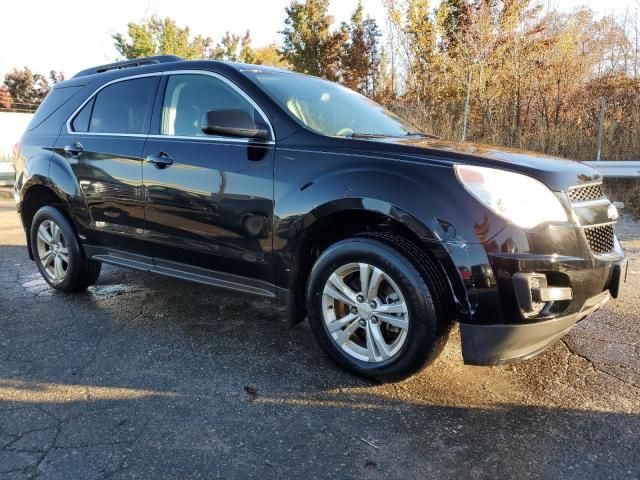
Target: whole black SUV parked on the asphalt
{"x":294,"y":188}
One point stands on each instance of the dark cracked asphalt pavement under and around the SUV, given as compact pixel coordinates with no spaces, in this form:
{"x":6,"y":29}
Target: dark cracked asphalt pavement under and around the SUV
{"x":149,"y":377}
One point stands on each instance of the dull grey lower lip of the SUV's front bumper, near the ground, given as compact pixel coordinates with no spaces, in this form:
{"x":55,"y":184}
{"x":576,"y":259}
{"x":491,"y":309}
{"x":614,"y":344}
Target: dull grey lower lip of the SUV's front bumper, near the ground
{"x":498,"y":344}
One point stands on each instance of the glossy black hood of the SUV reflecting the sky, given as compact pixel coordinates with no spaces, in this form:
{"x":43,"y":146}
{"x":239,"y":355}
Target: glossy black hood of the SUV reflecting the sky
{"x":557,"y":173}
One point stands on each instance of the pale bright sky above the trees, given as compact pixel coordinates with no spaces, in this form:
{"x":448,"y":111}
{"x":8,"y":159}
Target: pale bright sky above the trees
{"x":70,"y":35}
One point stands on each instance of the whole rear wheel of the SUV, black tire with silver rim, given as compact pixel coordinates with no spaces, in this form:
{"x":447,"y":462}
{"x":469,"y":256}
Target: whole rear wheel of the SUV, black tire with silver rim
{"x":58,"y":254}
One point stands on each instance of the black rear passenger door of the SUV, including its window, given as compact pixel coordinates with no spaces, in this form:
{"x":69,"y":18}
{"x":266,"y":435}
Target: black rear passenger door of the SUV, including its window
{"x":103,"y":143}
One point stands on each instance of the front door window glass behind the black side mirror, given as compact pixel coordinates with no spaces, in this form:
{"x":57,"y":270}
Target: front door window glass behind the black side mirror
{"x":189,"y":97}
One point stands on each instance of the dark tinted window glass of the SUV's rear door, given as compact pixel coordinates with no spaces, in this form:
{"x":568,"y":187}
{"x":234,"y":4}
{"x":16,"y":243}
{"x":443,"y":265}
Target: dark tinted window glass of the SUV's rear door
{"x":123,"y":107}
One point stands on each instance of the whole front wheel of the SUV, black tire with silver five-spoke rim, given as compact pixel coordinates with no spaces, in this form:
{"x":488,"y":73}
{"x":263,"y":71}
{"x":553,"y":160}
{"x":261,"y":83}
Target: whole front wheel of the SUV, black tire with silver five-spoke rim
{"x":423,"y":327}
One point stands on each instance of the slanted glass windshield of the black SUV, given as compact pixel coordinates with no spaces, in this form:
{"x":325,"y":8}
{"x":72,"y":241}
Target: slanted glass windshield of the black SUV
{"x":329,"y":108}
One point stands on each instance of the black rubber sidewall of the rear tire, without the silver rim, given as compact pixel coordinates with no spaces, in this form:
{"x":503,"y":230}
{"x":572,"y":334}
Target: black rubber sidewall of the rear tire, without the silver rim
{"x":76,"y":256}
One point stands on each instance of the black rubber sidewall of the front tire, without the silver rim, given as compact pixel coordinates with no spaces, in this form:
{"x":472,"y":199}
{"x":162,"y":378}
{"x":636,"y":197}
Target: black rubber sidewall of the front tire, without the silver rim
{"x":421,"y":338}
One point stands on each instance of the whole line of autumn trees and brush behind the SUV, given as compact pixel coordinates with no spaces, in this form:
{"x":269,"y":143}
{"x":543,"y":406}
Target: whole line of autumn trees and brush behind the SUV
{"x":533,"y":78}
